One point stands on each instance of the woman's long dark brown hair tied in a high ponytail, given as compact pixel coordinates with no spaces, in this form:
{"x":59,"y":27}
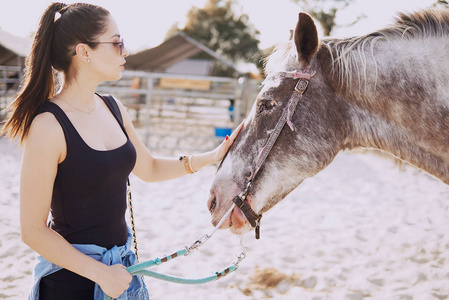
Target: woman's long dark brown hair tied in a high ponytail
{"x":60,"y":29}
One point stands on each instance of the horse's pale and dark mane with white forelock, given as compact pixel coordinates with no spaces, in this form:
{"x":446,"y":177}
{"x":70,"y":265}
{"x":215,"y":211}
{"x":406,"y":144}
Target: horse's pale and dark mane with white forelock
{"x":349,"y":54}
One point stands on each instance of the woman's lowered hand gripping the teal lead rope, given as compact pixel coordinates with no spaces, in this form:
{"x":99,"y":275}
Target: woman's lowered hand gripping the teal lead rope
{"x":114,"y":280}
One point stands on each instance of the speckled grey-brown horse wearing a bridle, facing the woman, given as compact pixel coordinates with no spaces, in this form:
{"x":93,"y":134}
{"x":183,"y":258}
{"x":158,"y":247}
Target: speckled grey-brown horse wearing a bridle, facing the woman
{"x":387,"y":90}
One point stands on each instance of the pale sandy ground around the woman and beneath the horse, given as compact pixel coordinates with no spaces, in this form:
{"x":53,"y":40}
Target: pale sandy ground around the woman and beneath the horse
{"x":361,"y":229}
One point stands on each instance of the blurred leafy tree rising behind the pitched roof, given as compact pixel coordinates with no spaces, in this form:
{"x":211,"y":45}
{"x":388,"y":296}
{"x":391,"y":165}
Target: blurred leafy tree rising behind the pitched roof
{"x":220,"y":29}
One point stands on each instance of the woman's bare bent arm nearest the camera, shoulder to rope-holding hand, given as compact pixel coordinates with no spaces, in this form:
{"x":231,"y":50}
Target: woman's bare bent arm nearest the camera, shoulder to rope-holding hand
{"x":44,"y":149}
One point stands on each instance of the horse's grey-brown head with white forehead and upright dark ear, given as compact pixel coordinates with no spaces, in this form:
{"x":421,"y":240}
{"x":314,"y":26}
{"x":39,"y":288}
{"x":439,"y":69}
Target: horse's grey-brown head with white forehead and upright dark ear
{"x":296,"y":155}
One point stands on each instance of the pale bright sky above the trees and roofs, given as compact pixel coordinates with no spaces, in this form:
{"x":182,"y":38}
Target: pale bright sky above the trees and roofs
{"x":144,"y":23}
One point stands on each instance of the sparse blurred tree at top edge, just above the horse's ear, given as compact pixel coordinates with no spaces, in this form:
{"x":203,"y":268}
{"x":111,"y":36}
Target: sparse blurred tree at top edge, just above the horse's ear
{"x":325,"y":11}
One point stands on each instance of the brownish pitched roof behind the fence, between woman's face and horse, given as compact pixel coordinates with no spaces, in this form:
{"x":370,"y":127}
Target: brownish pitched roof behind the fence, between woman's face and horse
{"x":170,"y":52}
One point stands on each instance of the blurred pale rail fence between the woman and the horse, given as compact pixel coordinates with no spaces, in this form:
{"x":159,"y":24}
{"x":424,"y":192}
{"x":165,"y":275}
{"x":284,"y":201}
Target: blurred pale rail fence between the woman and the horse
{"x":182,"y":112}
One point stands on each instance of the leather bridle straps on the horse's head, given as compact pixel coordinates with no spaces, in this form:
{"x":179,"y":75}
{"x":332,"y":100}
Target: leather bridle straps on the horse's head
{"x":301,"y":86}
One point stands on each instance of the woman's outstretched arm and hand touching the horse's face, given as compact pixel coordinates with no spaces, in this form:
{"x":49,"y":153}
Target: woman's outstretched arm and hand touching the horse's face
{"x":150,"y":169}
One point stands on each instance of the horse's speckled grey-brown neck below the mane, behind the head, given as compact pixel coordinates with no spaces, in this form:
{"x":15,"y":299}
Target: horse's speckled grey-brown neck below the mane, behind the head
{"x":405,"y":112}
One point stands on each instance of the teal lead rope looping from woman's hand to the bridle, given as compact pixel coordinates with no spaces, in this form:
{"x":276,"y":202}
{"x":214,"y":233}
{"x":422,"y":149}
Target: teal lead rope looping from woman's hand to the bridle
{"x":141,"y":268}
